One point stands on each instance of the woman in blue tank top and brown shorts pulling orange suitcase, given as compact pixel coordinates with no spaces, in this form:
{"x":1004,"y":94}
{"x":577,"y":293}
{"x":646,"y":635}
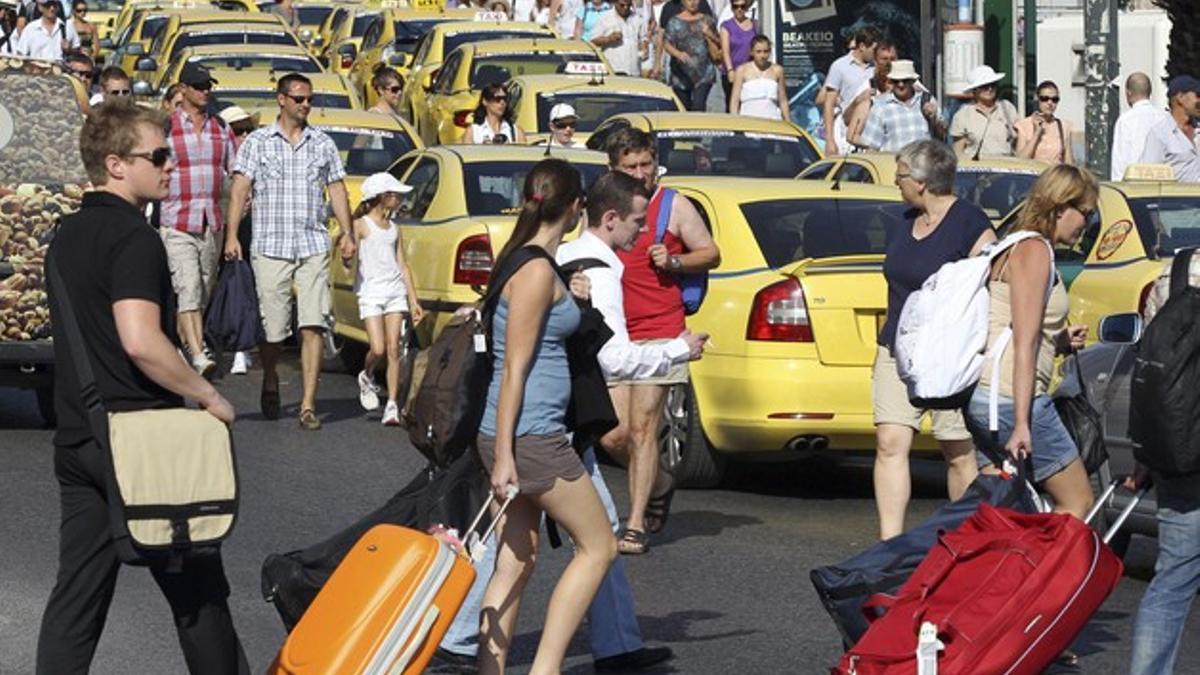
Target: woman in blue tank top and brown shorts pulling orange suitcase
{"x":523,"y":439}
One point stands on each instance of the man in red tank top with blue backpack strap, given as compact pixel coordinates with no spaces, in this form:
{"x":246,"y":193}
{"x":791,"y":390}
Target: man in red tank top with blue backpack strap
{"x":655,"y":313}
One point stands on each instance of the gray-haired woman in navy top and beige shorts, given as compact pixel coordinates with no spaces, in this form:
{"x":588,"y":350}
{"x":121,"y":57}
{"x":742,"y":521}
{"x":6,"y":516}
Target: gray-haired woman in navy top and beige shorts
{"x":939,"y":229}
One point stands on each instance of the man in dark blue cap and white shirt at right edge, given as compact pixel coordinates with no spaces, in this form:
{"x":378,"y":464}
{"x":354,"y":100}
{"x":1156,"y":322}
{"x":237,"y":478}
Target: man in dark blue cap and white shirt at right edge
{"x":1174,"y":141}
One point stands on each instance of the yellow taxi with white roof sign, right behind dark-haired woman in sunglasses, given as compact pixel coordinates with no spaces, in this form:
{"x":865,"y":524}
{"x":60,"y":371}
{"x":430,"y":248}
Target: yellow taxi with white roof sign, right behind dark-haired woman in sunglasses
{"x":467,"y":70}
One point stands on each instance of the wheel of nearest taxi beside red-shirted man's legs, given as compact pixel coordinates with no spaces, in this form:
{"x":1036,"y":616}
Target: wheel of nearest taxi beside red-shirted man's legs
{"x":683,"y":449}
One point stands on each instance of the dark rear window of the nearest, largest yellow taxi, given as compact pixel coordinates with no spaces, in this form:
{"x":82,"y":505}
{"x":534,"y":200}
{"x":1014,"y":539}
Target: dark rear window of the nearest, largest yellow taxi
{"x":793,"y":230}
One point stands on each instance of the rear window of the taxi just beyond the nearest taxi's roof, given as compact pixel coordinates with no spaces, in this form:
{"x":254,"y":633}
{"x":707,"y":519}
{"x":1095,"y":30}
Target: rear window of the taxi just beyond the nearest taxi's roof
{"x":734,"y":153}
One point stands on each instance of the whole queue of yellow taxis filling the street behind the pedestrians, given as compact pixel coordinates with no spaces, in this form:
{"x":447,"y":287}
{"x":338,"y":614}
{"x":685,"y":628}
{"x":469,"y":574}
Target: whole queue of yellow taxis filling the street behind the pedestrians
{"x":794,"y":308}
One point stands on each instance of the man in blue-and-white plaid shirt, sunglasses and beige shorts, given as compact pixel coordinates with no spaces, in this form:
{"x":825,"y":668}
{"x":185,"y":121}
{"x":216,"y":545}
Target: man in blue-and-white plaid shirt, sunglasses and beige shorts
{"x":290,"y":166}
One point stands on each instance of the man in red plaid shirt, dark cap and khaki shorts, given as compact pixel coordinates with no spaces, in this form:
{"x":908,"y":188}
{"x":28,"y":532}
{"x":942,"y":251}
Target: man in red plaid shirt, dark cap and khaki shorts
{"x":191,"y":214}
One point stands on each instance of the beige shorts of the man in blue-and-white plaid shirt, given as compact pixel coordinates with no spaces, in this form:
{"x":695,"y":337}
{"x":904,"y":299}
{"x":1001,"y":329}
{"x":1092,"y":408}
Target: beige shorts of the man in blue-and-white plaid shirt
{"x":277,"y":279}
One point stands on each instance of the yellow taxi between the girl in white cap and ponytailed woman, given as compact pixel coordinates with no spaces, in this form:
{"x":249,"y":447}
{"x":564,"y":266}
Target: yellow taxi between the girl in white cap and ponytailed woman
{"x":461,"y":212}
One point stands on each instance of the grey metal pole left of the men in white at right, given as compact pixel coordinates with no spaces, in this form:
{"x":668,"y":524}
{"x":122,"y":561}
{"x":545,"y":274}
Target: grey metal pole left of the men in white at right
{"x":1101,"y":65}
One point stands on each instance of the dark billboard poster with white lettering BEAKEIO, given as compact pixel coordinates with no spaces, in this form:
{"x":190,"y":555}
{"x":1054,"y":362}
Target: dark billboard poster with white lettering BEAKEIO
{"x":812,"y":34}
